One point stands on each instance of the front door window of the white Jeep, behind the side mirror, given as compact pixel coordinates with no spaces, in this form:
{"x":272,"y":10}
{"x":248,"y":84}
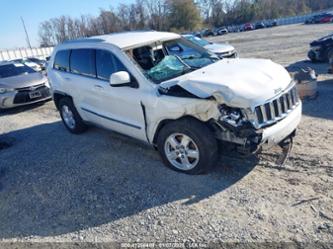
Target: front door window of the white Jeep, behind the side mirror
{"x":107,"y":64}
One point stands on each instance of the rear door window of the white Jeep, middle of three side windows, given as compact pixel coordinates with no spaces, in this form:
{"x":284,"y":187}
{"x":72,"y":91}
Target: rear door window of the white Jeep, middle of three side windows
{"x":82,"y":61}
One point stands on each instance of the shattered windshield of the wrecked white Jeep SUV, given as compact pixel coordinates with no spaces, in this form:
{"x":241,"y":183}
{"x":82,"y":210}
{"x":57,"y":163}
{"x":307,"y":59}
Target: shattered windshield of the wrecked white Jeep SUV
{"x":168,"y":60}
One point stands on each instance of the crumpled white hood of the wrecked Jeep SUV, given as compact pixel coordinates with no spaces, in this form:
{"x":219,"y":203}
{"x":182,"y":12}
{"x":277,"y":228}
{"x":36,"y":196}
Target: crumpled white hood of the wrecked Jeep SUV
{"x":240,"y":83}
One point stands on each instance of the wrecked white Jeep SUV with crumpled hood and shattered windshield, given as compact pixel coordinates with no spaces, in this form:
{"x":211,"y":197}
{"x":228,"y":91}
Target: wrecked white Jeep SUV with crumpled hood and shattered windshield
{"x":164,"y":90}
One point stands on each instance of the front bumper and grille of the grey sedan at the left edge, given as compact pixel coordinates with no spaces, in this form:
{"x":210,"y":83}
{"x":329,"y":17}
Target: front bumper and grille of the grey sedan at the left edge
{"x":20,"y":98}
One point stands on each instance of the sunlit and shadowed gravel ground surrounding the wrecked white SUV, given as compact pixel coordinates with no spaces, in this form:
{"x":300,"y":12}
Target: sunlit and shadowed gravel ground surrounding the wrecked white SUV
{"x":102,"y":186}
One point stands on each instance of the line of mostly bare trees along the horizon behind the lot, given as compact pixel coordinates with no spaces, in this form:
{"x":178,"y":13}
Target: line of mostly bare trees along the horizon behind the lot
{"x":172,"y":15}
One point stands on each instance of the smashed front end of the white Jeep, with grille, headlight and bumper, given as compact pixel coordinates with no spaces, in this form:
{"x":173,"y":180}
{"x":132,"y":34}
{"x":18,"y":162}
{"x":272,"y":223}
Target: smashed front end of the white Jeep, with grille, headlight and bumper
{"x":244,"y":124}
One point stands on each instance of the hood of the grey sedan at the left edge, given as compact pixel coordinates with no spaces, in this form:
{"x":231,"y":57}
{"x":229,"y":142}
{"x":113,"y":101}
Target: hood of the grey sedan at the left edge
{"x":24,"y":80}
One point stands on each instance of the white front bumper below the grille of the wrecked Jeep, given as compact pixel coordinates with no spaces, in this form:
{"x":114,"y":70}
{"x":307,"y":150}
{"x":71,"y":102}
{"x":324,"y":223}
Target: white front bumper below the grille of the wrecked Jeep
{"x":276,"y":133}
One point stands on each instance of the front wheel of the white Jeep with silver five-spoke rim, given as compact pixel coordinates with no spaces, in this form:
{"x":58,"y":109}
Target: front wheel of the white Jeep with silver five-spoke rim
{"x":187,"y":146}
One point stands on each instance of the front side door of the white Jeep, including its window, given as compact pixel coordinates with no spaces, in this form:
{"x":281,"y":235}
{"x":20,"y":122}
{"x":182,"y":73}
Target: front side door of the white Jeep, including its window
{"x":119,"y":108}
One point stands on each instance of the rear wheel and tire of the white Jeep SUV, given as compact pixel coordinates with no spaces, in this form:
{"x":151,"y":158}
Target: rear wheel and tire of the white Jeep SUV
{"x":70,"y":117}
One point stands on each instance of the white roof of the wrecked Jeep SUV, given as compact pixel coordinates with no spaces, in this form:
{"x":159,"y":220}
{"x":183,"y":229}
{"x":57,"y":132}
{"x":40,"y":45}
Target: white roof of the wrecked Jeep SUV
{"x":133,"y":39}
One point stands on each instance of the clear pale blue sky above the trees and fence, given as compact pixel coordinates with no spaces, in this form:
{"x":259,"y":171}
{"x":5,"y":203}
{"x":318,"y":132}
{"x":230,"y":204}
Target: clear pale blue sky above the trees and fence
{"x":35,"y":11}
